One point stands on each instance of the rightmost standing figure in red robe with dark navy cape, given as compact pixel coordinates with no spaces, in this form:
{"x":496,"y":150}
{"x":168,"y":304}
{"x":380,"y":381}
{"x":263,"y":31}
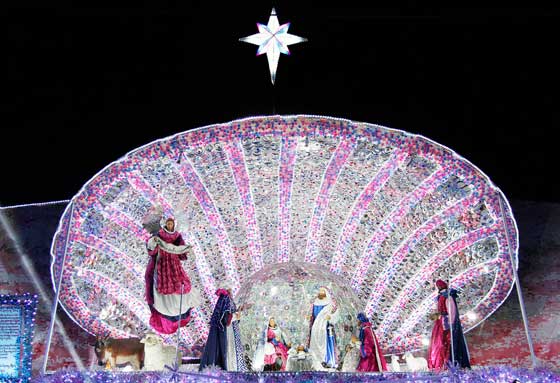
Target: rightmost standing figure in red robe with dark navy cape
{"x":447,"y":328}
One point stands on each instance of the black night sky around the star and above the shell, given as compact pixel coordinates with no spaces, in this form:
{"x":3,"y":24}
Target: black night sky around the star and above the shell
{"x":83,"y":85}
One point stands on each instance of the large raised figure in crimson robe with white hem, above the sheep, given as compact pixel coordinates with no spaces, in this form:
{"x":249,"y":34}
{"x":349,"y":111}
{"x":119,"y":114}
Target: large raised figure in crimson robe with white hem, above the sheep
{"x":168,"y":288}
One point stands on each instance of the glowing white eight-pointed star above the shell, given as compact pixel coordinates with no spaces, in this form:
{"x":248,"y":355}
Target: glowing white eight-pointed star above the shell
{"x":273,"y":39}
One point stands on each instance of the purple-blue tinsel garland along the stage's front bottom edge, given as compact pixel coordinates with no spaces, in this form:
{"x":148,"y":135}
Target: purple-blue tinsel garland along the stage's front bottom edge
{"x":478,"y":375}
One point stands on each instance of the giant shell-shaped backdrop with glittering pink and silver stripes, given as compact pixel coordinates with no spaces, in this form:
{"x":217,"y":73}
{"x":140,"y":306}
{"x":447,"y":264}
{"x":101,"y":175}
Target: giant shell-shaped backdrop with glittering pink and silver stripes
{"x":377,"y":214}
